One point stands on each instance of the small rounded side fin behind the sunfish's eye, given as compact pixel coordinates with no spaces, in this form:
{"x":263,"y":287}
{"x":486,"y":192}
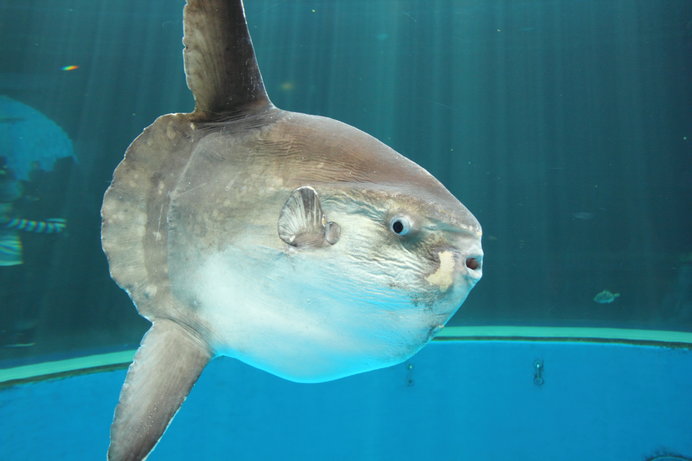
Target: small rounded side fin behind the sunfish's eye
{"x":303,"y":223}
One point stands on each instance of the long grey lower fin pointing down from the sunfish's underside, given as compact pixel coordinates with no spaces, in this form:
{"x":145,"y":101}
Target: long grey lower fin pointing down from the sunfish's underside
{"x":165,"y":367}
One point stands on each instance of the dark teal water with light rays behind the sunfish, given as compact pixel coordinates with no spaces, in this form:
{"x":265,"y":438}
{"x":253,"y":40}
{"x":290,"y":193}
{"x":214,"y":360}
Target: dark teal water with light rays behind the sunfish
{"x":564,"y":126}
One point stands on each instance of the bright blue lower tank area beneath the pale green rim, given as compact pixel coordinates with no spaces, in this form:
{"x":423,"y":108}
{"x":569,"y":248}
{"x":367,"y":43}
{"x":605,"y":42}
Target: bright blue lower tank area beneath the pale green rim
{"x":457,"y":400}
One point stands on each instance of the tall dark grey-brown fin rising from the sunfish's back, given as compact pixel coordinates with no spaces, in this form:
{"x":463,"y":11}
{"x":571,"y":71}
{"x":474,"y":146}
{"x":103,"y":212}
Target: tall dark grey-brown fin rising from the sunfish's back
{"x":220,"y":63}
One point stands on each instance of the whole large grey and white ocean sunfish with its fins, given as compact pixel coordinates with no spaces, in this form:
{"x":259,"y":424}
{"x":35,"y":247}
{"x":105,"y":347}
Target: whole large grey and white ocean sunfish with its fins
{"x":294,"y":243}
